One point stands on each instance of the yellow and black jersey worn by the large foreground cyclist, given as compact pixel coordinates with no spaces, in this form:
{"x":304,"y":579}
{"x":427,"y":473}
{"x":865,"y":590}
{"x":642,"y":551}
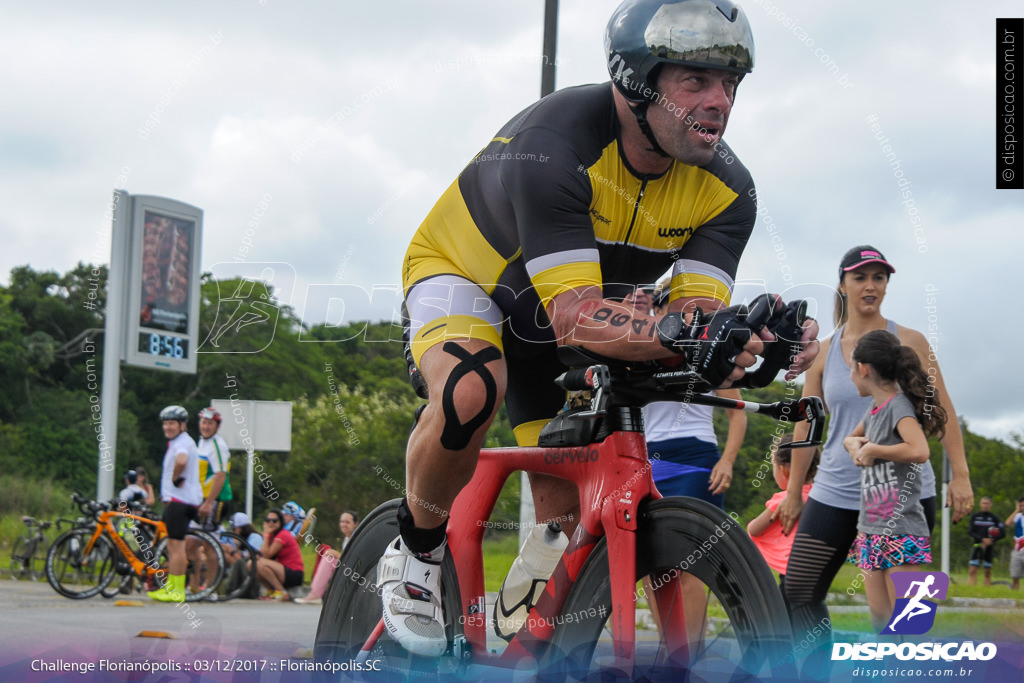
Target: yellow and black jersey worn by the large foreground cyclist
{"x":551,"y":204}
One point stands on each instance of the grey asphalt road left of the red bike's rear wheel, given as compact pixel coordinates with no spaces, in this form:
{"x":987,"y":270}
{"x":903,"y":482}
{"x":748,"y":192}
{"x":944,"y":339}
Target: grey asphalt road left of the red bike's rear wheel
{"x":37,"y":625}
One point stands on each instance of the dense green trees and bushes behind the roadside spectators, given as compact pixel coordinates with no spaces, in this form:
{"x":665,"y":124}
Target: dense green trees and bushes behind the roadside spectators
{"x":353,"y":405}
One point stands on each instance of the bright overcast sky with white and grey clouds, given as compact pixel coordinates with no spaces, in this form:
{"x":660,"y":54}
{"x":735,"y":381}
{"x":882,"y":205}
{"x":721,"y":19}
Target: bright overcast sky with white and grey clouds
{"x":317,"y":136}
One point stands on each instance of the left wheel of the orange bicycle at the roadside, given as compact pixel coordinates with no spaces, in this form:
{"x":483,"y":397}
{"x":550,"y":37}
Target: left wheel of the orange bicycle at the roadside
{"x":75,"y":574}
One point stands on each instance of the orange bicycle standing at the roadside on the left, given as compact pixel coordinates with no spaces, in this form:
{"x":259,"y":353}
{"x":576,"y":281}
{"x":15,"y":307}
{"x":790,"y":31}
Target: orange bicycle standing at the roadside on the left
{"x":86,"y":561}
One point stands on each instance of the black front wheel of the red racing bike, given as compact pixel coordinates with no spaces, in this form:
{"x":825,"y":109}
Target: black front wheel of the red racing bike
{"x":675,"y":534}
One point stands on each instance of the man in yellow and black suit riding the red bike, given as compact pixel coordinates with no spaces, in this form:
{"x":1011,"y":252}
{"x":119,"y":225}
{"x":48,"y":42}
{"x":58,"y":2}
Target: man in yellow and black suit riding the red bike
{"x":575,"y":202}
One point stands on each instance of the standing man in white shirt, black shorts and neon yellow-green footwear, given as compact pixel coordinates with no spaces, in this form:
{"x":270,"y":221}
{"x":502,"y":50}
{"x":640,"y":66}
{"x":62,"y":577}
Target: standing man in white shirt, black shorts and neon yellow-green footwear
{"x":182,"y":493}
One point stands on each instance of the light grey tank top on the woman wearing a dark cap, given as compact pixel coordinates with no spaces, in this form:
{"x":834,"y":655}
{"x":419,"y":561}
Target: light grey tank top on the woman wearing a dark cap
{"x":838,"y":481}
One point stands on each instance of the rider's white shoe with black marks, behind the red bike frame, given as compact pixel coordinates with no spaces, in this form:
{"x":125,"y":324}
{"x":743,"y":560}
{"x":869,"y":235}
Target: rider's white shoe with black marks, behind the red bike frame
{"x":529,"y":576}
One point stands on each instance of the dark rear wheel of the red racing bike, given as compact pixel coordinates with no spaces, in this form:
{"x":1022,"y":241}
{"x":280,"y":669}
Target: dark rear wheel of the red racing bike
{"x":353,"y":607}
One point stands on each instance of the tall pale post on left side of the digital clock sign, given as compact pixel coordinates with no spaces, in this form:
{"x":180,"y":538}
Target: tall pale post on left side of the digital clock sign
{"x":113,"y":340}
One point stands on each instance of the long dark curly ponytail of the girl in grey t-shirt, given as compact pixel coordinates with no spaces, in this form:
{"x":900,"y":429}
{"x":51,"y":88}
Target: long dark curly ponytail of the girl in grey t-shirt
{"x":895,"y":363}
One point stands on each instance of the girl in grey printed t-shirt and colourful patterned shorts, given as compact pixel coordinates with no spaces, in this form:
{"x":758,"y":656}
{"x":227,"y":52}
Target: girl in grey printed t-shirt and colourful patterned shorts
{"x":890,"y":445}
